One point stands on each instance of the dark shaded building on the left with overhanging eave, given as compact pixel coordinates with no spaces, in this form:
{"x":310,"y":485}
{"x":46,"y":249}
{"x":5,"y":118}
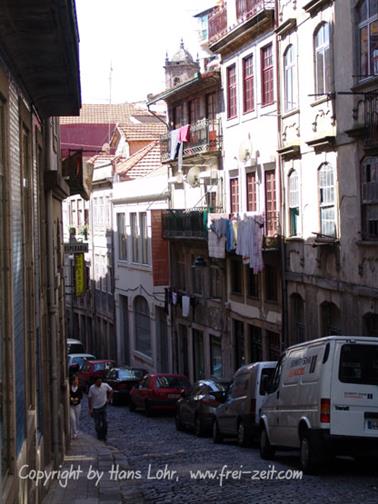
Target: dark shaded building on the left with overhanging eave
{"x":32,"y":333}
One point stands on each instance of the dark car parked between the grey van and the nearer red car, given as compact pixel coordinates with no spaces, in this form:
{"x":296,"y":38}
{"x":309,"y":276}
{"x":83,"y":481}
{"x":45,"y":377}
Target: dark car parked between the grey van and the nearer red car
{"x":196,"y":410}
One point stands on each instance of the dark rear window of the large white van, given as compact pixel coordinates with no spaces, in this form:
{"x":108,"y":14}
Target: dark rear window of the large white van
{"x":359,"y":364}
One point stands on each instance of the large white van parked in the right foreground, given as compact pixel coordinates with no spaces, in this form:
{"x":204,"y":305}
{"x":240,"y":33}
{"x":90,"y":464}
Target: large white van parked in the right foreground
{"x":323,"y":400}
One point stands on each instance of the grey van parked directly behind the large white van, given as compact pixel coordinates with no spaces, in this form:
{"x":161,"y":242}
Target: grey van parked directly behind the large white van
{"x":239,"y":415}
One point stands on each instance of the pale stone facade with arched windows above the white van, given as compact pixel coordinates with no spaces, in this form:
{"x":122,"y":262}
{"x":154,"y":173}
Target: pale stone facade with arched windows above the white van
{"x":328,"y":164}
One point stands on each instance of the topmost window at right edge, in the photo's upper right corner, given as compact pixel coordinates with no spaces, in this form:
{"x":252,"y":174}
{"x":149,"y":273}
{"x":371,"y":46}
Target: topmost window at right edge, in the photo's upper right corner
{"x":368,"y":40}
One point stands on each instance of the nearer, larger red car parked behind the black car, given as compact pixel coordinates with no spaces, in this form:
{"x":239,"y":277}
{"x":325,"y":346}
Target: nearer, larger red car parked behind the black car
{"x":158,"y":392}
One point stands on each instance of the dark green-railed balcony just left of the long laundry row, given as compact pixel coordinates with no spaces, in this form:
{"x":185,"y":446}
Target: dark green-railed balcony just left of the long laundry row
{"x":185,"y":224}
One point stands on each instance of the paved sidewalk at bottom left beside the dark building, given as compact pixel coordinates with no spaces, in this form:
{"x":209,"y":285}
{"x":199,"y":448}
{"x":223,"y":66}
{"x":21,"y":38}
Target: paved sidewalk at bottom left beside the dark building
{"x":86,"y":471}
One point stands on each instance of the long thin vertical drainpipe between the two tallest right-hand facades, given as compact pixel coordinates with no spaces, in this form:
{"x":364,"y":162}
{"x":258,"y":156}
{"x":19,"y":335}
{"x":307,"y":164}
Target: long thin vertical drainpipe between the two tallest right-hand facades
{"x":281,"y":179}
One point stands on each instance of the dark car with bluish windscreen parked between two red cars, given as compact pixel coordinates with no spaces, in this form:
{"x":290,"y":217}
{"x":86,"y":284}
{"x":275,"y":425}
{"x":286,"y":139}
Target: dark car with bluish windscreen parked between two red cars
{"x":122,"y":380}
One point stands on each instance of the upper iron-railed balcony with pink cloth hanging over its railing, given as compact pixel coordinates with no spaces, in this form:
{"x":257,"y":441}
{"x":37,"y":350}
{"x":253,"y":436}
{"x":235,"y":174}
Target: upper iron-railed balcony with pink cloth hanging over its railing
{"x":205,"y":137}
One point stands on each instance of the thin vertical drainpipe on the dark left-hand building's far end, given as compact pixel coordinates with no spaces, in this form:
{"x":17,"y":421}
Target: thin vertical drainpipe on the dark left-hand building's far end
{"x":53,"y":313}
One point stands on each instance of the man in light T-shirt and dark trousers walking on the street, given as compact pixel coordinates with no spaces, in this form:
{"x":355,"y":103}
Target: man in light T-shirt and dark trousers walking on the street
{"x":98,"y":397}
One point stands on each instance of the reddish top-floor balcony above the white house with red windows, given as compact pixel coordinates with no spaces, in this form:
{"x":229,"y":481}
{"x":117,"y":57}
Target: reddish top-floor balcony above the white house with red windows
{"x":257,"y":12}
